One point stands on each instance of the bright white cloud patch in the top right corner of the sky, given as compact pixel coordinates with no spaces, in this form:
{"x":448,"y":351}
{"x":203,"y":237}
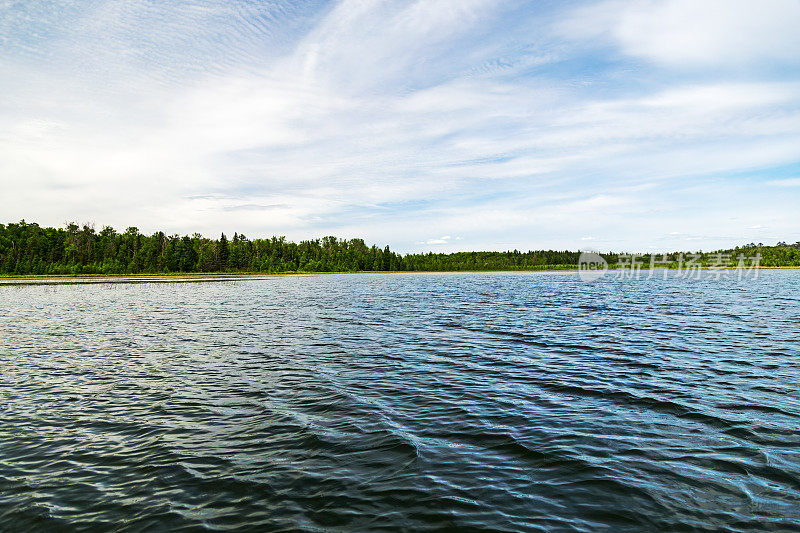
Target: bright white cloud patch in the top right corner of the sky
{"x":690,"y":33}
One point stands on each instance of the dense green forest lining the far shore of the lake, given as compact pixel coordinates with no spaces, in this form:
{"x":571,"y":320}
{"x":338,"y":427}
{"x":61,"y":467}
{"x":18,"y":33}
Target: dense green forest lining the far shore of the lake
{"x":28,"y":249}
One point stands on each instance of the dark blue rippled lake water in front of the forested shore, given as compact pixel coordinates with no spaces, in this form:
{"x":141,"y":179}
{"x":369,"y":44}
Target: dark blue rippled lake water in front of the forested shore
{"x":508,"y":402}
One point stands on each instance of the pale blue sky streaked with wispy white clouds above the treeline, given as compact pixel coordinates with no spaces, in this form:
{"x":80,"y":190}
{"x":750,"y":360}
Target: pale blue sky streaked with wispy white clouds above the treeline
{"x":437,"y":125}
